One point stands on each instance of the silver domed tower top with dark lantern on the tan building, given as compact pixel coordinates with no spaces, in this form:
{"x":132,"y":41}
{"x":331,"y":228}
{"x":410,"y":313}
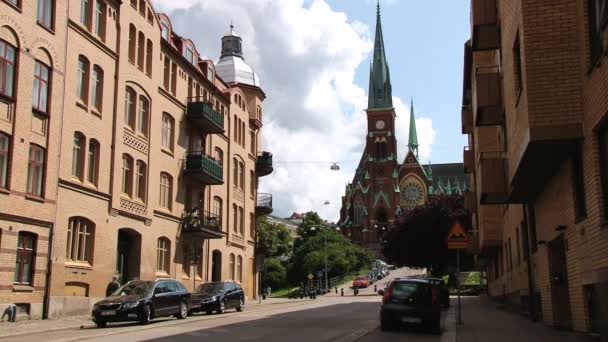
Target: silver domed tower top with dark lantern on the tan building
{"x":232,"y":67}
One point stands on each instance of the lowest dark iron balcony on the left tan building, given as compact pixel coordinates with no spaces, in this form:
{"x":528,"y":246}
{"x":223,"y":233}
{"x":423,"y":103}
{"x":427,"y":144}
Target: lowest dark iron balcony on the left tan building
{"x":201,"y":224}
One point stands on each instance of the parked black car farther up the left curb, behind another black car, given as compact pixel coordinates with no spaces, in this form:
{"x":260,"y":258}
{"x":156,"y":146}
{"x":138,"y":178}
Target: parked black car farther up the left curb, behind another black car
{"x":218,"y":297}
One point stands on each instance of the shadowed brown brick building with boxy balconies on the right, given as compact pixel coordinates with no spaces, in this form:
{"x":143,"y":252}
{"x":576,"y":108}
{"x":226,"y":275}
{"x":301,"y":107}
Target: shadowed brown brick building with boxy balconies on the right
{"x":535,"y":109}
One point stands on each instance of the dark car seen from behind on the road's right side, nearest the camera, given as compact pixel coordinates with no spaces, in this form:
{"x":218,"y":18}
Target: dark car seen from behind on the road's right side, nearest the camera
{"x":408,"y":301}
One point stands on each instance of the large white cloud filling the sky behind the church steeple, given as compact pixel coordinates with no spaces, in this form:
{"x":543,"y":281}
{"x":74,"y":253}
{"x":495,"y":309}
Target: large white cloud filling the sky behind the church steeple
{"x":306,"y":55}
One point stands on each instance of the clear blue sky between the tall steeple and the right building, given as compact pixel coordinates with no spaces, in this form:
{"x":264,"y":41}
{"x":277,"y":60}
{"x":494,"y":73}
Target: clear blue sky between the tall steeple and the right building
{"x":424,"y":42}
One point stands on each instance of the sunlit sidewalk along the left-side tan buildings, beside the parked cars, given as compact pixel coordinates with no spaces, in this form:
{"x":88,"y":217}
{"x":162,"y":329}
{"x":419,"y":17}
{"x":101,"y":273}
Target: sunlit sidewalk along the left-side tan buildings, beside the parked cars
{"x":36,"y":326}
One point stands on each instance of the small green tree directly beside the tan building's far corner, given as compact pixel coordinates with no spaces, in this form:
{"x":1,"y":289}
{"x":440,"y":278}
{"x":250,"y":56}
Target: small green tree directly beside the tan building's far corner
{"x":273,"y":239}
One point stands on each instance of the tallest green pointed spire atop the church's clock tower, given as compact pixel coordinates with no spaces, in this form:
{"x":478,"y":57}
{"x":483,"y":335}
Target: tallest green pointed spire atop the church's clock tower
{"x":380,"y":89}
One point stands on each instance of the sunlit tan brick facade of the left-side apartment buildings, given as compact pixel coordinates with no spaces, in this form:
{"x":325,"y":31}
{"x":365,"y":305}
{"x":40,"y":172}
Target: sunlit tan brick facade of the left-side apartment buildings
{"x":121,"y":51}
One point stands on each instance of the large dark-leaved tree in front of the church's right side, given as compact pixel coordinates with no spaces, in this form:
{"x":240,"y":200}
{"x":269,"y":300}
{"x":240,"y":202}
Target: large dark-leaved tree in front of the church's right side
{"x":419,"y":238}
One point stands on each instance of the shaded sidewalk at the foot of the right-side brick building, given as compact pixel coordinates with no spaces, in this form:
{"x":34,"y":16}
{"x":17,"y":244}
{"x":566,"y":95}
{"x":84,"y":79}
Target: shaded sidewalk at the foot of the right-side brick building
{"x":483,"y":321}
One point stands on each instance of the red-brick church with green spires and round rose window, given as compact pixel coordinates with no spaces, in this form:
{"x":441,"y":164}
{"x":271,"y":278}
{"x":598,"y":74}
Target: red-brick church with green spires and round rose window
{"x":383,"y":189}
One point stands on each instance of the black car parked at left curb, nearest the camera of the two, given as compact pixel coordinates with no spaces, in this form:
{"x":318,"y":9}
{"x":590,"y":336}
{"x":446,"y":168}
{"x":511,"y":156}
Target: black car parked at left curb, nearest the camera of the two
{"x":141,"y":300}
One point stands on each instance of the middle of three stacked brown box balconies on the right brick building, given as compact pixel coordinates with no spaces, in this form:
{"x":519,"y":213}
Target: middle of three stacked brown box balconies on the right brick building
{"x":487,"y":97}
